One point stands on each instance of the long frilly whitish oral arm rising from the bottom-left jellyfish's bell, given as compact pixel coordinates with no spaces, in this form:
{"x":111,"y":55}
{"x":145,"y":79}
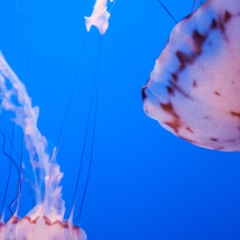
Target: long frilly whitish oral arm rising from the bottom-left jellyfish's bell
{"x":46,"y":184}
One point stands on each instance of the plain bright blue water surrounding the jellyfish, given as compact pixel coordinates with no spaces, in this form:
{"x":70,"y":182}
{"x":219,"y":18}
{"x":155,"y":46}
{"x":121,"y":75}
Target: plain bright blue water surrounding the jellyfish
{"x":145,"y":183}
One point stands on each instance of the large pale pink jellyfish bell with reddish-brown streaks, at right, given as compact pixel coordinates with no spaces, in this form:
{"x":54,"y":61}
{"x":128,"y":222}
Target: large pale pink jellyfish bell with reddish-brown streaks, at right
{"x":193,"y":90}
